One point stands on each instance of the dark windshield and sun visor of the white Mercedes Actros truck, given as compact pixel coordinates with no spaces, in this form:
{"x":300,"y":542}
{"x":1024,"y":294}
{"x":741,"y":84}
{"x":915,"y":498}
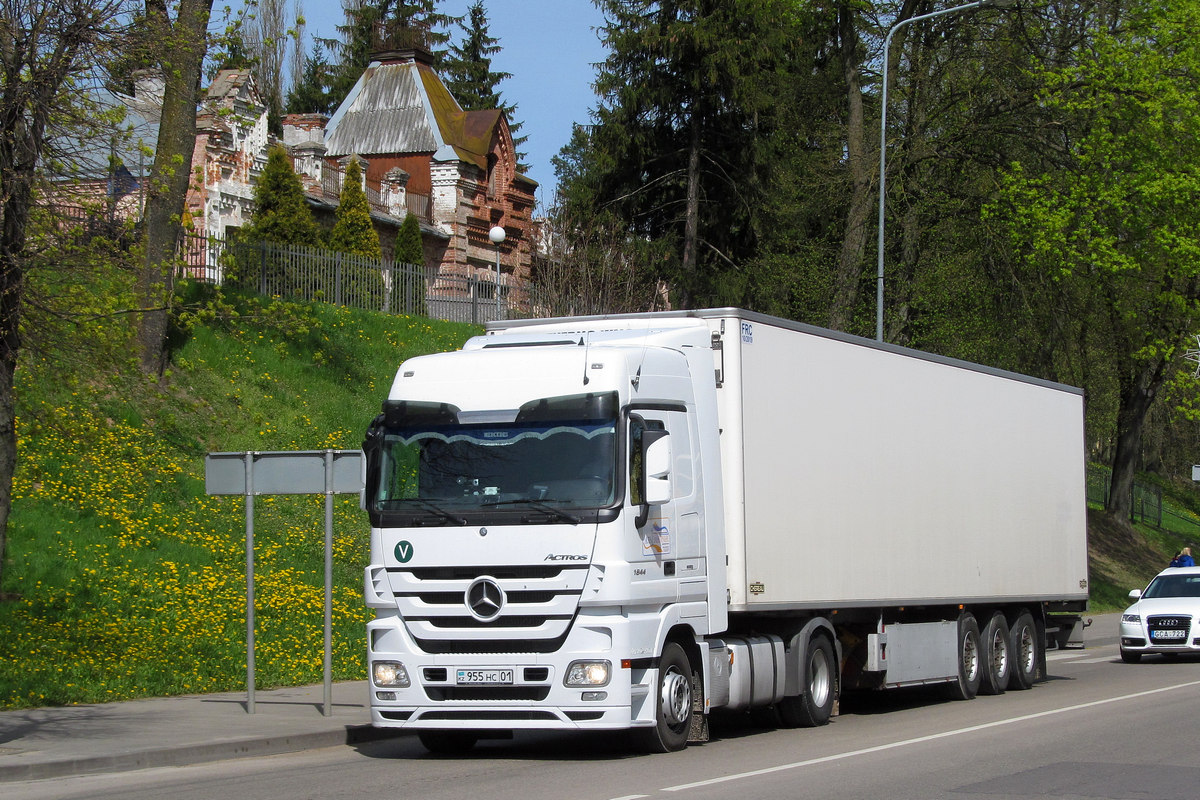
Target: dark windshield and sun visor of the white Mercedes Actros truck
{"x":549,"y":458}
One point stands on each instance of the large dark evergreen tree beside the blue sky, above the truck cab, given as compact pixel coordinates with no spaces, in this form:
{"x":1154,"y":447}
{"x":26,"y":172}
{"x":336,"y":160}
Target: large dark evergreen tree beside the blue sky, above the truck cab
{"x":687,"y":100}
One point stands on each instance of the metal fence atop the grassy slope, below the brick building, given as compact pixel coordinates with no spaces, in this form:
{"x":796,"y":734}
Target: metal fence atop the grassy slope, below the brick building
{"x":313,"y":274}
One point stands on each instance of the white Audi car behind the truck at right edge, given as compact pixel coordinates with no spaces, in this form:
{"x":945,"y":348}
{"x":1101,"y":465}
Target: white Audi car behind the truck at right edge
{"x":1166,"y":617}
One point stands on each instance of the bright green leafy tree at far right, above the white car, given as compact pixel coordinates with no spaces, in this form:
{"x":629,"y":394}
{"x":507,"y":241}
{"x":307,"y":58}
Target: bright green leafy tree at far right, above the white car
{"x":1117,"y":221}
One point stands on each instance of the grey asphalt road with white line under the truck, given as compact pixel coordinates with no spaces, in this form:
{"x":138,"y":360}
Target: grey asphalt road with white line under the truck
{"x":1097,"y":729}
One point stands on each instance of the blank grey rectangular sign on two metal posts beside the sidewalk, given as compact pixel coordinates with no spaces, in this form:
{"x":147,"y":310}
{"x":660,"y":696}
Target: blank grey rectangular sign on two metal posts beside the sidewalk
{"x":303,"y":472}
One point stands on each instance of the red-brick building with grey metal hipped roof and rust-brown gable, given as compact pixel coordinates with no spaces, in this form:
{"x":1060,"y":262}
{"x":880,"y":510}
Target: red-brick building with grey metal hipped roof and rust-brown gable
{"x":457,"y":171}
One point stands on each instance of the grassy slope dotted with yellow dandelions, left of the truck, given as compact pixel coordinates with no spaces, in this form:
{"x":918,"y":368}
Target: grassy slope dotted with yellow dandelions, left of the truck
{"x":124,"y":579}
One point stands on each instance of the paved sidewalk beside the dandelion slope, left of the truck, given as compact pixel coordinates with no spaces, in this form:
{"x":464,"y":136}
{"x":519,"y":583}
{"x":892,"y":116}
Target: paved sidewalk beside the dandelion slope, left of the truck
{"x":173,"y":731}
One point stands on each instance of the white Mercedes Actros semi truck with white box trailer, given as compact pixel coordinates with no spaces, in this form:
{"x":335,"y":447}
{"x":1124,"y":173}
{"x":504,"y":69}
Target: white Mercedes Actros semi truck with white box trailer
{"x":628,"y":522}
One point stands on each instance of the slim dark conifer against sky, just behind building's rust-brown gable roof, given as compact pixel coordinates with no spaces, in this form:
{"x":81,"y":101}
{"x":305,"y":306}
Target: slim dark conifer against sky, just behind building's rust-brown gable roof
{"x":470,"y":76}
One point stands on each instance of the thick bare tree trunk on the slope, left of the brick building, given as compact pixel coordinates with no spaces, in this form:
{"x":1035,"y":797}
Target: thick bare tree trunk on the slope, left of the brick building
{"x":182,"y":44}
